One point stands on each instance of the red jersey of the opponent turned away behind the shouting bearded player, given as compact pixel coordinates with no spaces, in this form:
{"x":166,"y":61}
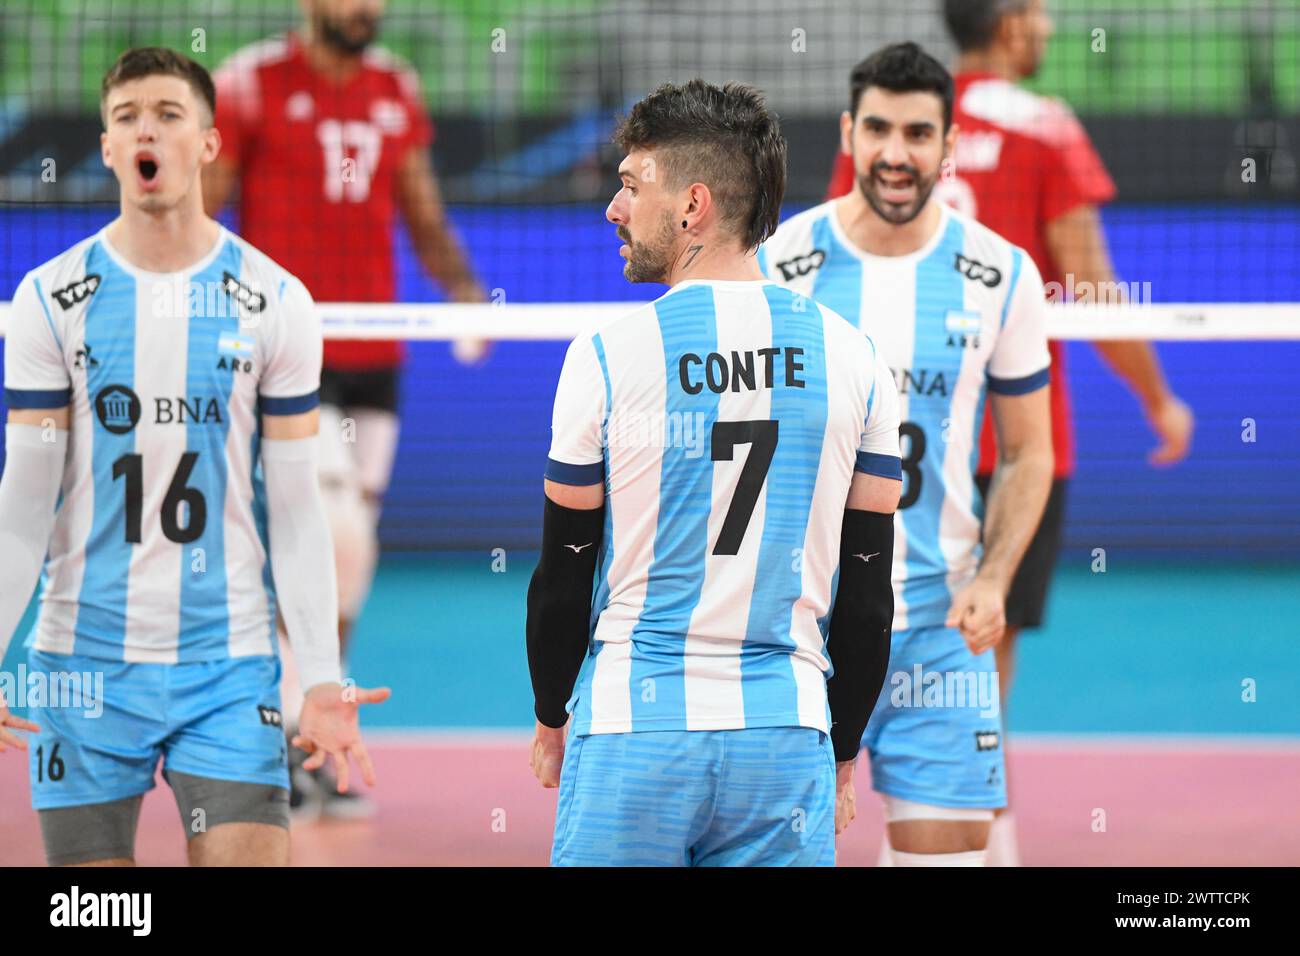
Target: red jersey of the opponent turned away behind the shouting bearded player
{"x":1022,"y":161}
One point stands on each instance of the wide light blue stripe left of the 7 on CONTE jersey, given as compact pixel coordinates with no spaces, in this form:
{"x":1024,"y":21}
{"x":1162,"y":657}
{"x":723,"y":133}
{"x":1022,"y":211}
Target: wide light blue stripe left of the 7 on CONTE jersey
{"x":687,"y":325}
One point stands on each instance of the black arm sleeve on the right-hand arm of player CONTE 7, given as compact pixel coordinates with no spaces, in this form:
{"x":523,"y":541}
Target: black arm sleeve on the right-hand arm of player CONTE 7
{"x":859,"y":643}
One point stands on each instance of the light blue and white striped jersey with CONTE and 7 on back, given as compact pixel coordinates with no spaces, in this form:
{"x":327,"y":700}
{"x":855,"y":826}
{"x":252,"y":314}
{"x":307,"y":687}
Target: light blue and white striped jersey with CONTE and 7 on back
{"x":726,"y":421}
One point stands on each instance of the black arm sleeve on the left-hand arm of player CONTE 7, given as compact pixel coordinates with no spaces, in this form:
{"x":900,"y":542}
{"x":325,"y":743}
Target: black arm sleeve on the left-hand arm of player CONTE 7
{"x":560,"y":607}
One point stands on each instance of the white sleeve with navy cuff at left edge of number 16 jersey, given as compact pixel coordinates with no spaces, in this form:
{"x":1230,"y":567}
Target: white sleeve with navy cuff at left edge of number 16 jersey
{"x":36,"y":375}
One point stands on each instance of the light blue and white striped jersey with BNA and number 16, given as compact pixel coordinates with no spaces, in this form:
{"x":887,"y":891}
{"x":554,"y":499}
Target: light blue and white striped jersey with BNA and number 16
{"x":159,"y":551}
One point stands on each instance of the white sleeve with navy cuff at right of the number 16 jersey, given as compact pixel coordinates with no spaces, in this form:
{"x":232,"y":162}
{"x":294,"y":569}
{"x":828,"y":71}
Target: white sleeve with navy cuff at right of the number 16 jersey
{"x":292,"y":367}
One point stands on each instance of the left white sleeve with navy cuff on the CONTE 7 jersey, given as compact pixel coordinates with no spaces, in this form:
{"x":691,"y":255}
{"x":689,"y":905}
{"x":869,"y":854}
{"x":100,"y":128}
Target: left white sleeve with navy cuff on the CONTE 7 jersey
{"x":582,"y":397}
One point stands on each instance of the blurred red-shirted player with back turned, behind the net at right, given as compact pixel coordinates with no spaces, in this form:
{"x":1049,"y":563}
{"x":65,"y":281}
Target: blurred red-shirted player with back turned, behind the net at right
{"x":1026,"y":168}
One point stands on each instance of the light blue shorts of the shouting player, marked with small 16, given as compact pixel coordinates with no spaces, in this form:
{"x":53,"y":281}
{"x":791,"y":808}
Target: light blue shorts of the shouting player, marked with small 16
{"x":209,"y":719}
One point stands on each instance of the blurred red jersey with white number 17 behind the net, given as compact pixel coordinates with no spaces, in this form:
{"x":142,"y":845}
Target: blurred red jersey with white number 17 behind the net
{"x":318,"y":170}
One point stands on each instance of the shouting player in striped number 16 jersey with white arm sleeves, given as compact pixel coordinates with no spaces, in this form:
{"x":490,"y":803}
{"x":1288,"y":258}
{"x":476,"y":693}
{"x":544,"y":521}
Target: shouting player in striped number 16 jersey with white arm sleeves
{"x":149,"y":371}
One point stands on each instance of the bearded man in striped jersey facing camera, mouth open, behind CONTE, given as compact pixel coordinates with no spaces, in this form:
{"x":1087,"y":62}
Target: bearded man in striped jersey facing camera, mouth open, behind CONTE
{"x":957,"y":312}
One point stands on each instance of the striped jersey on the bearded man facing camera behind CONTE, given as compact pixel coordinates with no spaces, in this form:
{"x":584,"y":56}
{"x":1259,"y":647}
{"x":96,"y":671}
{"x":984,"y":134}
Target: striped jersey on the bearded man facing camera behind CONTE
{"x":964,"y":314}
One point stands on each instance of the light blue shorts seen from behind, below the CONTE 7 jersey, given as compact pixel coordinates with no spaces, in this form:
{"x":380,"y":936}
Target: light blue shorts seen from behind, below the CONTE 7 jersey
{"x":730,"y":798}
